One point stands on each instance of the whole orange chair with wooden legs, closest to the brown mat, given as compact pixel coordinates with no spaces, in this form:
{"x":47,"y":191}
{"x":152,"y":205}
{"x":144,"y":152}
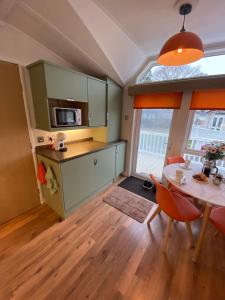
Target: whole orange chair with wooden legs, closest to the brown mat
{"x":177,"y":207}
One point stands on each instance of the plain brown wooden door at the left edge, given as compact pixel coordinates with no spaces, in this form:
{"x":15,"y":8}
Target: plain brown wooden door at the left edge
{"x":18,"y":186}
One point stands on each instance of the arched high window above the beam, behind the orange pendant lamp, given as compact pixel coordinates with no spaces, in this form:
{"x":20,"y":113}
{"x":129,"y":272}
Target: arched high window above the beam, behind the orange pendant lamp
{"x":207,"y":66}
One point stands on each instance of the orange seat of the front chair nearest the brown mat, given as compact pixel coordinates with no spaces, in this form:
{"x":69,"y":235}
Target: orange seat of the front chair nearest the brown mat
{"x":186,"y":211}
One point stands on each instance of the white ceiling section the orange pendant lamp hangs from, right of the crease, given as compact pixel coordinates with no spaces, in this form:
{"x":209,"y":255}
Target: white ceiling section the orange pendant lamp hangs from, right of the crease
{"x":150,"y":22}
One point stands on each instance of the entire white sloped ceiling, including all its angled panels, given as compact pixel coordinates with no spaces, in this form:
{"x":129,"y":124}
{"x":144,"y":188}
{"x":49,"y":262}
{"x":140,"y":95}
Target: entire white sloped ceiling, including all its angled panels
{"x":111,"y":37}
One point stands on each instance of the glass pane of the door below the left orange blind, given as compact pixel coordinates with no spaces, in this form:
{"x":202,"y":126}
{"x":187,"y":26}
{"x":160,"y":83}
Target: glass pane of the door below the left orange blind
{"x":152,"y":141}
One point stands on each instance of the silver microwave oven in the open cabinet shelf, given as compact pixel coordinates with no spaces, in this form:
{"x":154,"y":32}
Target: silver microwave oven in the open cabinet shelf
{"x":61,"y":117}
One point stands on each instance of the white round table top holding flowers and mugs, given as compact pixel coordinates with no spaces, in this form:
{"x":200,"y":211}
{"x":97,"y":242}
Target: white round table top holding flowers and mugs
{"x":207,"y":192}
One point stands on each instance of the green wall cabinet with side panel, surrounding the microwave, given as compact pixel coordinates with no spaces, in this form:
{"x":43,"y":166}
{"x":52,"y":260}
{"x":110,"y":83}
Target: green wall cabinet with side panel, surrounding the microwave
{"x":50,"y":82}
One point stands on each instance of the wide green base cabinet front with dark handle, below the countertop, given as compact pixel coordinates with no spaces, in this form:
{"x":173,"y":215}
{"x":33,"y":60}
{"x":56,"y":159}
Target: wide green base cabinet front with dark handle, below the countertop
{"x":86,"y":175}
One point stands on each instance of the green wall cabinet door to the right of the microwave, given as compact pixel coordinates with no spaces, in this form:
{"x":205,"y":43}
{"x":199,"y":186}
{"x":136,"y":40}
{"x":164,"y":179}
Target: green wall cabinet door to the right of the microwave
{"x":96,"y":102}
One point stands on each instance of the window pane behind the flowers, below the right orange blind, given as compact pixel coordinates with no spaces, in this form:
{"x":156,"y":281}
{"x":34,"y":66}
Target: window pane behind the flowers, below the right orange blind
{"x":207,"y":127}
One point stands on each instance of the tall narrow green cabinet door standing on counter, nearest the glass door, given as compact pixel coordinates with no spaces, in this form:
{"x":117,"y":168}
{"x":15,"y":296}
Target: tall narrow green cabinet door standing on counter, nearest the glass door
{"x":114,"y":104}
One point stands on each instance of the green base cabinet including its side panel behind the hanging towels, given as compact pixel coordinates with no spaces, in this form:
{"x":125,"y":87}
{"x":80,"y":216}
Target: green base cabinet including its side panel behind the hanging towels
{"x":79,"y":179}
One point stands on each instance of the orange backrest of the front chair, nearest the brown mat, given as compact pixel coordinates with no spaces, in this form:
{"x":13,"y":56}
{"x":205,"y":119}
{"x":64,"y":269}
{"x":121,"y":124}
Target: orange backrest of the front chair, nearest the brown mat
{"x":165,"y":200}
